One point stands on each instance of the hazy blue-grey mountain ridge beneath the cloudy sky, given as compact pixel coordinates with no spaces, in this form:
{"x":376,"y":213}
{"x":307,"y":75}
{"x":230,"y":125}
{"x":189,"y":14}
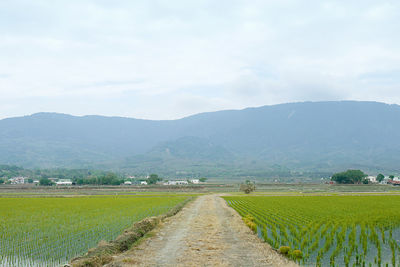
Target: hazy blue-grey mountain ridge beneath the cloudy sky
{"x":309,"y":136}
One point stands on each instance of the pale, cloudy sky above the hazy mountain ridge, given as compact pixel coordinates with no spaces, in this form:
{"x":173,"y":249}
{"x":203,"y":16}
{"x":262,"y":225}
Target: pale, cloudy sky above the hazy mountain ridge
{"x":170,"y":59}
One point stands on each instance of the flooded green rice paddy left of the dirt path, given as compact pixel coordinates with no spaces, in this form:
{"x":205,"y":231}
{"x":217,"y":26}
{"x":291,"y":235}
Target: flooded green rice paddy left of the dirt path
{"x":50,"y":231}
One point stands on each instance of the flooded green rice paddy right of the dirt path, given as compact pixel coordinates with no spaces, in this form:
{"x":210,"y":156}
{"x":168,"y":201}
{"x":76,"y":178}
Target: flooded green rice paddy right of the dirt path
{"x":328,"y":230}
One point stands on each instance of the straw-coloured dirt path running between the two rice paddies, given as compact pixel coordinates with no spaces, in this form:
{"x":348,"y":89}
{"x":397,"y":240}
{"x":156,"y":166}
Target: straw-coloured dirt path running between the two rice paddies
{"x":205,"y":233}
